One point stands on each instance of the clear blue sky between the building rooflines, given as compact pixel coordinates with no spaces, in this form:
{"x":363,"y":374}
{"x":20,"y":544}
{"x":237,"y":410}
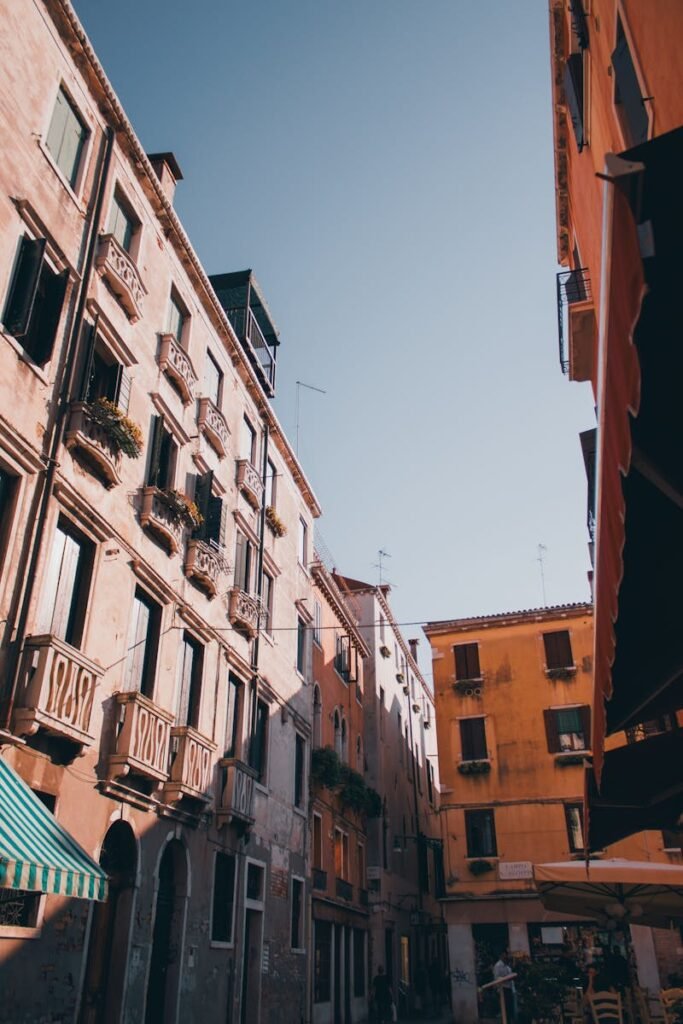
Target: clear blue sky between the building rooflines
{"x":386,"y":167}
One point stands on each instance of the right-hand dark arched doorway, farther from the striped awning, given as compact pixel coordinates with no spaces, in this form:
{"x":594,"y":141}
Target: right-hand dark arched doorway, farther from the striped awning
{"x":165,"y":965}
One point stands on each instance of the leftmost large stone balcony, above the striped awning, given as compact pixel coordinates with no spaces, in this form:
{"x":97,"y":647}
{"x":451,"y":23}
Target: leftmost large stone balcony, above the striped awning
{"x":57,"y":691}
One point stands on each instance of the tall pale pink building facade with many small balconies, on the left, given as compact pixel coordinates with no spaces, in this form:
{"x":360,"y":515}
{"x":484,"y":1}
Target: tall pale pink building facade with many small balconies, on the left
{"x":155,"y":547}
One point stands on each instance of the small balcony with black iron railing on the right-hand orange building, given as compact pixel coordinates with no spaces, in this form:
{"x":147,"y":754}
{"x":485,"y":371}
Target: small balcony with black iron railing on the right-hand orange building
{"x":577,"y":324}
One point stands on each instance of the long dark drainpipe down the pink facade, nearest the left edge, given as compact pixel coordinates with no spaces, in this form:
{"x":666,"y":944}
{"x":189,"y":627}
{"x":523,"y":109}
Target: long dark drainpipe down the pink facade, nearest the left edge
{"x":29,"y":567}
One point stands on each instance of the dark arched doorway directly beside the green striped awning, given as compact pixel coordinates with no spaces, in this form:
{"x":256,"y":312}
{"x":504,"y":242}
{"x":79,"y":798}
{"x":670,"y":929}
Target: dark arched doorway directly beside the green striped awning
{"x":105,"y":985}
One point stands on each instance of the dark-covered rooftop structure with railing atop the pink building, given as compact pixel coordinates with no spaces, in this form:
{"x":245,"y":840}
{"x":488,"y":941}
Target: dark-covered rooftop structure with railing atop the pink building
{"x":245,"y":307}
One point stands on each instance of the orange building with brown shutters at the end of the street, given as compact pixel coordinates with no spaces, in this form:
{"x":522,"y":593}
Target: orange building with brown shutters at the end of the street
{"x":514,"y":698}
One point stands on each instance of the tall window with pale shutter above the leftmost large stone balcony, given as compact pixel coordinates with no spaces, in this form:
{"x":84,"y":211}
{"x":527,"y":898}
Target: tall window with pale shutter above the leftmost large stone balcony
{"x":67,"y":584}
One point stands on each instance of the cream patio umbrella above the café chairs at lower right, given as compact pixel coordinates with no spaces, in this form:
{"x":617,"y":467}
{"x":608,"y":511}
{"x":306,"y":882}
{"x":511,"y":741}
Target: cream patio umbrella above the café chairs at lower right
{"x":637,"y":892}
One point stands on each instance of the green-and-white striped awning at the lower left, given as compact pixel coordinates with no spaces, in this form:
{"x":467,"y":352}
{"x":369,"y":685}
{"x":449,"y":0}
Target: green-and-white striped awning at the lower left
{"x":36,"y":854}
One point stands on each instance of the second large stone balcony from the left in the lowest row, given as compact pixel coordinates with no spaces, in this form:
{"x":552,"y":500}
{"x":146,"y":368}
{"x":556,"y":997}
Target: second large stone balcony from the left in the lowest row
{"x":144,"y":743}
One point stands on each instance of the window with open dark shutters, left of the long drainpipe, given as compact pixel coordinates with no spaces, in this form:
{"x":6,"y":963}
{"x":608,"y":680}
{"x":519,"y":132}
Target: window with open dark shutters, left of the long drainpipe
{"x":35,"y":301}
